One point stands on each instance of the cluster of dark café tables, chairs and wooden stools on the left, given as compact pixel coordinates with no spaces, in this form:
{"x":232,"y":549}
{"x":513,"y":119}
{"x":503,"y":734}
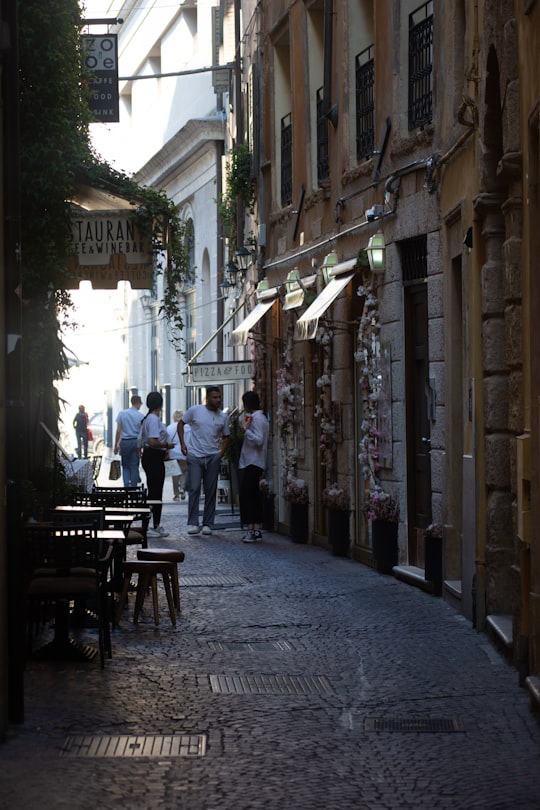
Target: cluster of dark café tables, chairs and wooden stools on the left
{"x":78,"y":575}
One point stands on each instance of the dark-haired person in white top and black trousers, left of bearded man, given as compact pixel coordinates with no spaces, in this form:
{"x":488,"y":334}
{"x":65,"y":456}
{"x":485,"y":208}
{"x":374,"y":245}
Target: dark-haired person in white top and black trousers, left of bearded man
{"x":155,"y":445}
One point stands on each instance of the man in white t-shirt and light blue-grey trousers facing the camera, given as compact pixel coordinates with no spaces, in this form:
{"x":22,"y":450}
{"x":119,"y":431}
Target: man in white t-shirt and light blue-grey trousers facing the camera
{"x":209,"y":439}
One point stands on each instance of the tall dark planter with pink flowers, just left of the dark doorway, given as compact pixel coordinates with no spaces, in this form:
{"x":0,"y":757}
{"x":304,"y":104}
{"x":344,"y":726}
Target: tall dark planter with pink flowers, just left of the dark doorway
{"x":383,"y":512}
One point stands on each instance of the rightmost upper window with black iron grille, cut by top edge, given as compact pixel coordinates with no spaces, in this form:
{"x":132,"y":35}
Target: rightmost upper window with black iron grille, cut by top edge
{"x":421,"y":66}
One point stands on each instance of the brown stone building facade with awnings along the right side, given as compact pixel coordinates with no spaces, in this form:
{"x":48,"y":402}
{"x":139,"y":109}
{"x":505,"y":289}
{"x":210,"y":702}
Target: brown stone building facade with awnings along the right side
{"x":415,"y":123}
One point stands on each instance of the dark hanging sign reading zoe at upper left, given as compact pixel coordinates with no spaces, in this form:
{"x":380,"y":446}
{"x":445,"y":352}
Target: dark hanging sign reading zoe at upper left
{"x":100,"y":60}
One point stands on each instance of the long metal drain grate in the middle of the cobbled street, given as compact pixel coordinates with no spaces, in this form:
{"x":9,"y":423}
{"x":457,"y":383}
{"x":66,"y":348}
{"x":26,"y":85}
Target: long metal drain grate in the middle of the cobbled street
{"x":269,"y":684}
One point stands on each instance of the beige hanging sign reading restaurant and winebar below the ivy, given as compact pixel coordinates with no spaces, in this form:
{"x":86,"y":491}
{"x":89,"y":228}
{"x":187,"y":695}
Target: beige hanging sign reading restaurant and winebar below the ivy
{"x":107,"y":248}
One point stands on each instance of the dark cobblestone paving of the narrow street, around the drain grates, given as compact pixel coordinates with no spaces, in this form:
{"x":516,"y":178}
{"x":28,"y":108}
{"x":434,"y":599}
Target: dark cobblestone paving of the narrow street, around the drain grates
{"x":388,"y":651}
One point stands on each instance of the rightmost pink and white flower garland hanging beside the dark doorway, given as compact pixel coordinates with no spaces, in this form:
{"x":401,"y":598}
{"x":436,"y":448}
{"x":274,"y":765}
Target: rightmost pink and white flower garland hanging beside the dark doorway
{"x":367,"y":355}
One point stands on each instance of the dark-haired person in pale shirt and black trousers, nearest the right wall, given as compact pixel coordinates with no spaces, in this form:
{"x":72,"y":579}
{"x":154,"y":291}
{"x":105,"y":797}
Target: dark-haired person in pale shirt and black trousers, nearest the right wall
{"x":251,"y":467}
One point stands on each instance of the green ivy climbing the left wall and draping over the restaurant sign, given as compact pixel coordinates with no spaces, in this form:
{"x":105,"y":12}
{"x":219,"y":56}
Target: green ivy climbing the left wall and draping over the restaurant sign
{"x":55,"y":155}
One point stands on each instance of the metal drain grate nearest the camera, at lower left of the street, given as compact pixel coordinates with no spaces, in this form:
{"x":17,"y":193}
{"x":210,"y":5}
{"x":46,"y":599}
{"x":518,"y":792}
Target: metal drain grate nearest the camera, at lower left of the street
{"x":137,"y":745}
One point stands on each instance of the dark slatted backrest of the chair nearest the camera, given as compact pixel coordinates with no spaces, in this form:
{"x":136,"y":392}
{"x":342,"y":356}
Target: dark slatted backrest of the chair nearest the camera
{"x":60,"y":548}
